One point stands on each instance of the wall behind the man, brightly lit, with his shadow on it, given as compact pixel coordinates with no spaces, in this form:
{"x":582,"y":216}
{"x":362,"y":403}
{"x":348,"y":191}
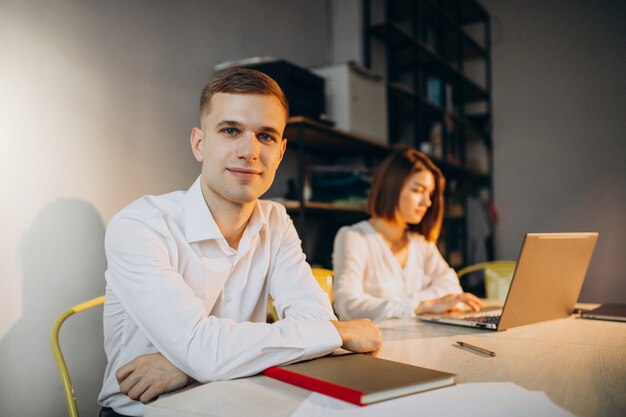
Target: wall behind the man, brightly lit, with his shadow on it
{"x":97,"y":102}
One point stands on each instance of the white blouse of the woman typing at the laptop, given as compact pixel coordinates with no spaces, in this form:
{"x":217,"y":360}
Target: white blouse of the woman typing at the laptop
{"x":369,"y":281}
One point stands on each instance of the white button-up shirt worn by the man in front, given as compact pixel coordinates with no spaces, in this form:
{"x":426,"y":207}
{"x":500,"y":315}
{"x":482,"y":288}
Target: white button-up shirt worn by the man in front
{"x":175,"y":286}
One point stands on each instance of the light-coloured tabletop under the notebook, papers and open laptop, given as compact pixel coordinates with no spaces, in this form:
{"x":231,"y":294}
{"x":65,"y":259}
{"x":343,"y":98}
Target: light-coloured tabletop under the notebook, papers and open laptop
{"x":580,"y":364}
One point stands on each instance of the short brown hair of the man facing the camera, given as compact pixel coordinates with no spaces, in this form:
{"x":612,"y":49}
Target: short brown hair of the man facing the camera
{"x":241,"y":81}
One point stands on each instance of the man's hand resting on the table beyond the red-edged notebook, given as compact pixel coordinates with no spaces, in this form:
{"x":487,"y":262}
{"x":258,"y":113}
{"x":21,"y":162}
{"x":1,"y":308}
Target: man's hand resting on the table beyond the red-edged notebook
{"x":361,"y":336}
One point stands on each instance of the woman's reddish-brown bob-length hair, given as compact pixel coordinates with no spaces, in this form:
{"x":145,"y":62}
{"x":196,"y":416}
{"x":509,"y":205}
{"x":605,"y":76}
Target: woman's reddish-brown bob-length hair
{"x":389,"y":179}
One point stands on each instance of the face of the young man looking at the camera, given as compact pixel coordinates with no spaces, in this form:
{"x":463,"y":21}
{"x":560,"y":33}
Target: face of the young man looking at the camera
{"x":240,"y":146}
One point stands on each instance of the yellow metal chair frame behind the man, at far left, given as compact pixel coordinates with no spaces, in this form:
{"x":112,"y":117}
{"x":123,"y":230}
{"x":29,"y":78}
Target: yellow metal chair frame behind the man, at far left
{"x":68,"y":389}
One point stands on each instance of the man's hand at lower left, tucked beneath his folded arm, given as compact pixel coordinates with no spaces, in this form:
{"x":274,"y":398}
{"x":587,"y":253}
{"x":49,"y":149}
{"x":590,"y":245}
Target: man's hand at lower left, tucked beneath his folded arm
{"x":148,"y":376}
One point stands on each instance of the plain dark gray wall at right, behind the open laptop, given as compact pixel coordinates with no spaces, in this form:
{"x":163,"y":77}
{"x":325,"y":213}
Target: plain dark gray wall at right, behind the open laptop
{"x":560,"y":128}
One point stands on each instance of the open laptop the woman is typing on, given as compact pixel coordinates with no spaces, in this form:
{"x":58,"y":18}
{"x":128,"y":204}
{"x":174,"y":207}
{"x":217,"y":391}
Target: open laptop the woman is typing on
{"x":546,"y":283}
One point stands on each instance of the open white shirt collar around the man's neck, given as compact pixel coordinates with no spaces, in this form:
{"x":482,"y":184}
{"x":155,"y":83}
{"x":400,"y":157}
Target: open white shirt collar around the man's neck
{"x":200,"y":224}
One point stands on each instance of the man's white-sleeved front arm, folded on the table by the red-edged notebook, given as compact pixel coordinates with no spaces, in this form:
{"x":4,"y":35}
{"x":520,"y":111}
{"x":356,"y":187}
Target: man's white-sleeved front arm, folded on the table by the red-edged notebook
{"x":177,"y":322}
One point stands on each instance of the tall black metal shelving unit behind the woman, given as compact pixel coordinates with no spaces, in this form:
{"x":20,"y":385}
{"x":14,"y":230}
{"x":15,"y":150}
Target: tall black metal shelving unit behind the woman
{"x":414,"y":42}
